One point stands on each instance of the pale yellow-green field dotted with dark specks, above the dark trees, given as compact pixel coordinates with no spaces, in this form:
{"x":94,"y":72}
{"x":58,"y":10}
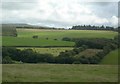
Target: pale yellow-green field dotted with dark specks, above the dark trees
{"x":53,"y":51}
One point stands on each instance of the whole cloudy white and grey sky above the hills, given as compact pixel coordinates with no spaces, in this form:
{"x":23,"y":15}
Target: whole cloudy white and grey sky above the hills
{"x":59,"y":13}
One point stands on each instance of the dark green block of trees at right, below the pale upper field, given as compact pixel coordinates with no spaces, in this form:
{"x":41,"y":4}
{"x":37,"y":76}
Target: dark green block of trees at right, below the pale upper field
{"x":93,"y":43}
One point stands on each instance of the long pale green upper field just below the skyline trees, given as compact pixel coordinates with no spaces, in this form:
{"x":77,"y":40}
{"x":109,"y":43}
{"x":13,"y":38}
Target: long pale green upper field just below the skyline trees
{"x":59,"y":34}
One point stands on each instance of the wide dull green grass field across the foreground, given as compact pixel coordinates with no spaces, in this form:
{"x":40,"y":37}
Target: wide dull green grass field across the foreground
{"x":59,"y":73}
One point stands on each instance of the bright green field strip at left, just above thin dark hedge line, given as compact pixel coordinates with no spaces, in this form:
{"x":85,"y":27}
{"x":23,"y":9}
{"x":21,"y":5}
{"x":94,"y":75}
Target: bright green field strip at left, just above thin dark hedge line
{"x":16,"y":41}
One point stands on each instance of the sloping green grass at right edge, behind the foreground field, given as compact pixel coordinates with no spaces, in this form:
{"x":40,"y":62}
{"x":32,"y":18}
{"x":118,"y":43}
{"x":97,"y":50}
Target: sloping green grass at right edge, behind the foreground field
{"x":111,"y":58}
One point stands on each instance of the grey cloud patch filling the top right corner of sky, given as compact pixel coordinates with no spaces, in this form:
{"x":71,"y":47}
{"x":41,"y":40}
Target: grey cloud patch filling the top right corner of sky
{"x":104,"y":9}
